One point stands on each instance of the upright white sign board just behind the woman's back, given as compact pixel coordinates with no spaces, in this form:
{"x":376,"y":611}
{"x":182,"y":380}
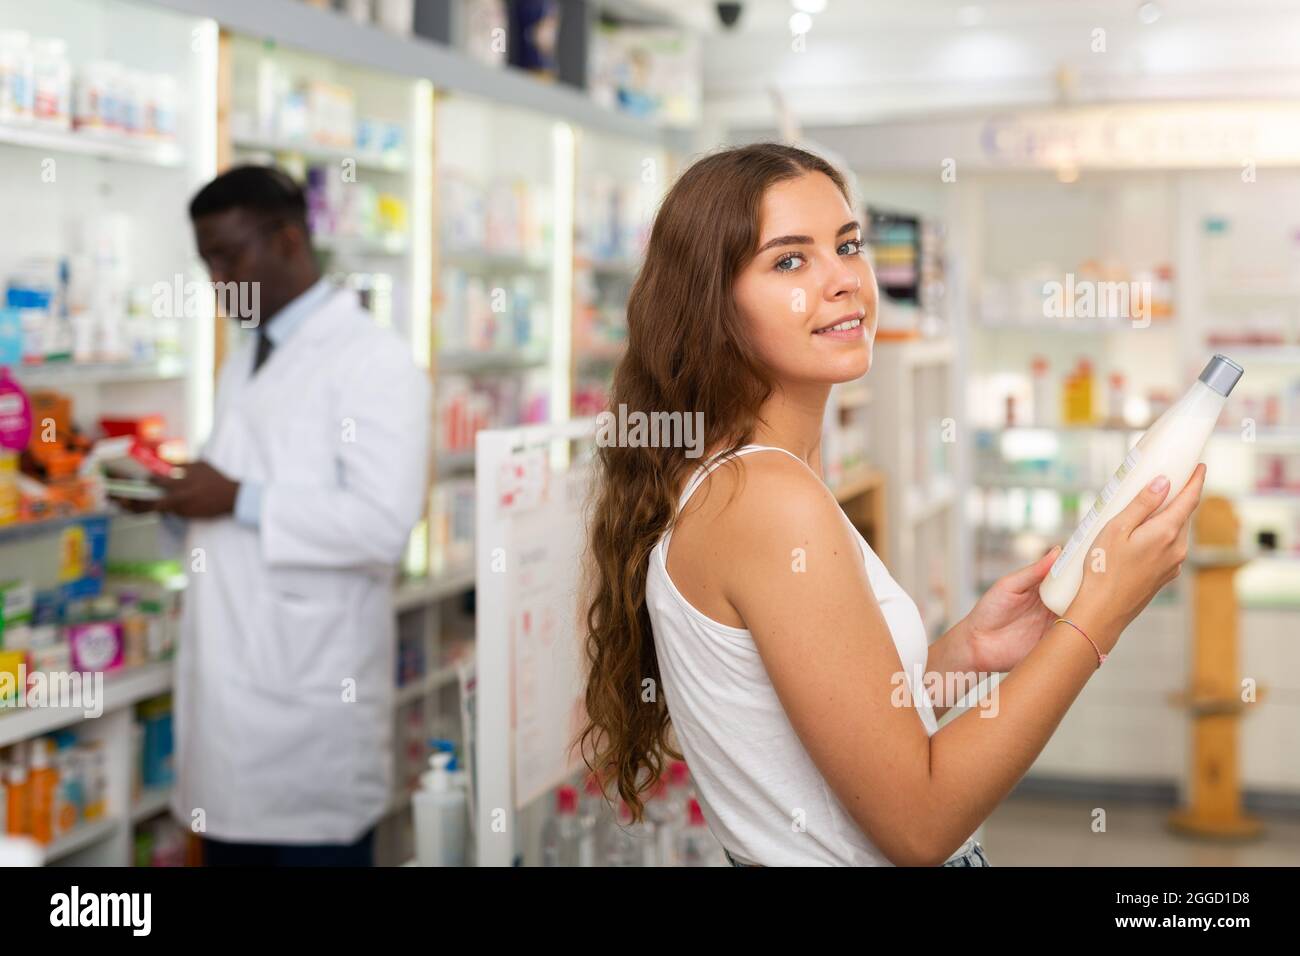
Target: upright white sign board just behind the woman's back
{"x":530,"y":538}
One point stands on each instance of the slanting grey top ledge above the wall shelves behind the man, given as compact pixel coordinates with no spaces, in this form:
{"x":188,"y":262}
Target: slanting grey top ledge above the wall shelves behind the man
{"x":336,"y":37}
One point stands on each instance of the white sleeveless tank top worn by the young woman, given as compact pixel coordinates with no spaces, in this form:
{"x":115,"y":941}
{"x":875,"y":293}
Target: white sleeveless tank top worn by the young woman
{"x":753,"y":777}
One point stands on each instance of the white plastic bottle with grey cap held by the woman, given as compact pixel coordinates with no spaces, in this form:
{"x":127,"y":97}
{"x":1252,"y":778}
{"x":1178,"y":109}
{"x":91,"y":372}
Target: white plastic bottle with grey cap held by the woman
{"x":1172,"y":448}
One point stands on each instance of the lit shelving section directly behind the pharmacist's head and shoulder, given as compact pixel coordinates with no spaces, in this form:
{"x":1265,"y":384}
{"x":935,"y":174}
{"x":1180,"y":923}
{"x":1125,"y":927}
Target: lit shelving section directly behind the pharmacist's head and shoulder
{"x":370,"y":201}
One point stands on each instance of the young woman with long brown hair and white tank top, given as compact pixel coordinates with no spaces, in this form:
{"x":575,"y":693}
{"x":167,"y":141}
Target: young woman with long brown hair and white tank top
{"x":738,"y":611}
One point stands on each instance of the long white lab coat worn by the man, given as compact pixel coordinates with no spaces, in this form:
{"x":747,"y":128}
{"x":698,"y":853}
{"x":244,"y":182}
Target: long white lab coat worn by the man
{"x":285,"y":673}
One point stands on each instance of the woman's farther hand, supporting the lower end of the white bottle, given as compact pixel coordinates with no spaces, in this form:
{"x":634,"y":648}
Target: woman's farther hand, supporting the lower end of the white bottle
{"x":1011,"y":618}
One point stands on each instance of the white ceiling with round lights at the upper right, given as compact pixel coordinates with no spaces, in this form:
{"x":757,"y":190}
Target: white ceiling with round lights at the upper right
{"x":869,"y":60}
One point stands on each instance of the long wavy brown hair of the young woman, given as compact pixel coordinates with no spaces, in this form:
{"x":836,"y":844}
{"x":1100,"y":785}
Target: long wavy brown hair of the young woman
{"x":688,"y":352}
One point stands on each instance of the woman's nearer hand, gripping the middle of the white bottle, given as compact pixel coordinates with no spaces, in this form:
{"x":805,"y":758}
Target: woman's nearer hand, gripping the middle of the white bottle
{"x":1141,"y":553}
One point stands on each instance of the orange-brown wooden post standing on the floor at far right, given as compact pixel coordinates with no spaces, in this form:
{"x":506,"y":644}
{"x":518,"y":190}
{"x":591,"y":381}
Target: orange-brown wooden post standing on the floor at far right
{"x":1215,"y":697}
